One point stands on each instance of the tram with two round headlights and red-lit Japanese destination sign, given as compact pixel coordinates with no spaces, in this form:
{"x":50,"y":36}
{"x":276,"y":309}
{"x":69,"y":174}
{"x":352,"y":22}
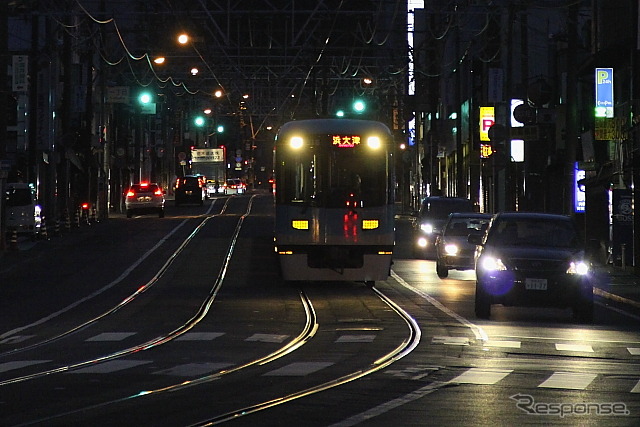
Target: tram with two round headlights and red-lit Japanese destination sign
{"x":334,"y":196}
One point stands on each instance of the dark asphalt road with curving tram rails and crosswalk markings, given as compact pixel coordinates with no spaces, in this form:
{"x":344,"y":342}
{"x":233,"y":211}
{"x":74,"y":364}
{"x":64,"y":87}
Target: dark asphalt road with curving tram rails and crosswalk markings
{"x":184,"y":321}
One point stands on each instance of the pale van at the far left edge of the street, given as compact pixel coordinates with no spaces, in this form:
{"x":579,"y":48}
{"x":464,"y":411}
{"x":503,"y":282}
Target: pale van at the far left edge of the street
{"x":22,"y":212}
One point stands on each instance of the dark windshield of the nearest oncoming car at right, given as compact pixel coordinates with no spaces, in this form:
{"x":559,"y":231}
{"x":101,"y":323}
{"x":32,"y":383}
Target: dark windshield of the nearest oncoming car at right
{"x":534,"y":232}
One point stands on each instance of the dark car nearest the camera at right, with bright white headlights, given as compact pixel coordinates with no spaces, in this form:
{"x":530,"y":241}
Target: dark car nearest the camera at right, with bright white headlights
{"x":532,"y":259}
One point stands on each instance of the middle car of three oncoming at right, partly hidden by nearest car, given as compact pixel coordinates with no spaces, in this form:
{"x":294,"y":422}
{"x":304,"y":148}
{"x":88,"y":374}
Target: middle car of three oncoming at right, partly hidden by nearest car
{"x":453,"y":250}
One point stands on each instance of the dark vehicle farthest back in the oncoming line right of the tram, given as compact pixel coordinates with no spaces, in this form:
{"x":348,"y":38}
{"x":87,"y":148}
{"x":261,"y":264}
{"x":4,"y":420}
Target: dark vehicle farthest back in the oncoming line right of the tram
{"x":432,"y":215}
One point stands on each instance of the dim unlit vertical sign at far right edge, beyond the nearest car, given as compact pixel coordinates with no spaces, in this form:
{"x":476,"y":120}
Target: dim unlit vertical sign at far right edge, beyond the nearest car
{"x":622,"y":226}
